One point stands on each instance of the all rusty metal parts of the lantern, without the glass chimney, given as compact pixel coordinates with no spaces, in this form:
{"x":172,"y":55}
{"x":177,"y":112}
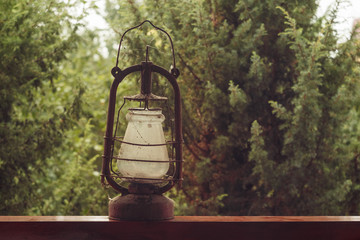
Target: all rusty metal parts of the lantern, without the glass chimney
{"x":141,"y":201}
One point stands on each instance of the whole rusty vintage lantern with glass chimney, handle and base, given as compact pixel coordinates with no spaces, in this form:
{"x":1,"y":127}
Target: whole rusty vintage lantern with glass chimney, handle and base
{"x":143,"y":164}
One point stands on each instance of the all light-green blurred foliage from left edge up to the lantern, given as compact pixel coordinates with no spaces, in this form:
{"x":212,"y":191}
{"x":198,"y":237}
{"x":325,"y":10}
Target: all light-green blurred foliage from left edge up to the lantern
{"x":48,"y":148}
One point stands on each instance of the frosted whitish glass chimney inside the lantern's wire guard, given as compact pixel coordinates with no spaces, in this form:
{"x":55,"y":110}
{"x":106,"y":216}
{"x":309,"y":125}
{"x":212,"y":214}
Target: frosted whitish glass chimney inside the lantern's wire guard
{"x":144,"y":128}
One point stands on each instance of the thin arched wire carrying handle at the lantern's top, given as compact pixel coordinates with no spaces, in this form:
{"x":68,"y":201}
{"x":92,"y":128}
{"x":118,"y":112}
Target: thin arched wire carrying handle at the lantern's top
{"x":174,"y":71}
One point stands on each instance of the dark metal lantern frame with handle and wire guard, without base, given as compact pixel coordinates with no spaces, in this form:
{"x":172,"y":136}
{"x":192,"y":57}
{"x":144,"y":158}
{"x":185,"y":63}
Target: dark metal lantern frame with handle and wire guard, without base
{"x":146,"y":69}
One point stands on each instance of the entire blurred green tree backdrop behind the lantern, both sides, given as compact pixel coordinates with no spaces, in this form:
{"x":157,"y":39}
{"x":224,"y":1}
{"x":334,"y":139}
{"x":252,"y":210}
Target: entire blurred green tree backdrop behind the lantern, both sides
{"x":270,"y":96}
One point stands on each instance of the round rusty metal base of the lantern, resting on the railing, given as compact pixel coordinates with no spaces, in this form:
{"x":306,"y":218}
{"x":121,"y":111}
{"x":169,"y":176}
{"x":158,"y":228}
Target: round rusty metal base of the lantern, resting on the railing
{"x":141,"y":207}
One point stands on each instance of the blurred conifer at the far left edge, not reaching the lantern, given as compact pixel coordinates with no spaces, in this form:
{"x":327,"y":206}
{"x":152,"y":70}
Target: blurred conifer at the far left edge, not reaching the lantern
{"x":35,"y":37}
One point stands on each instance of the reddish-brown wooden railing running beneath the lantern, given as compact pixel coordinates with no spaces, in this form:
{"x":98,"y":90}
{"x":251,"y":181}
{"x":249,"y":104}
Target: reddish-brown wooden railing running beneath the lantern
{"x":182,"y":227}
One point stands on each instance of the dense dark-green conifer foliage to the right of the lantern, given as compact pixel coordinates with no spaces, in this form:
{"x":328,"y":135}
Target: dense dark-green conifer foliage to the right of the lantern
{"x":270,"y":95}
